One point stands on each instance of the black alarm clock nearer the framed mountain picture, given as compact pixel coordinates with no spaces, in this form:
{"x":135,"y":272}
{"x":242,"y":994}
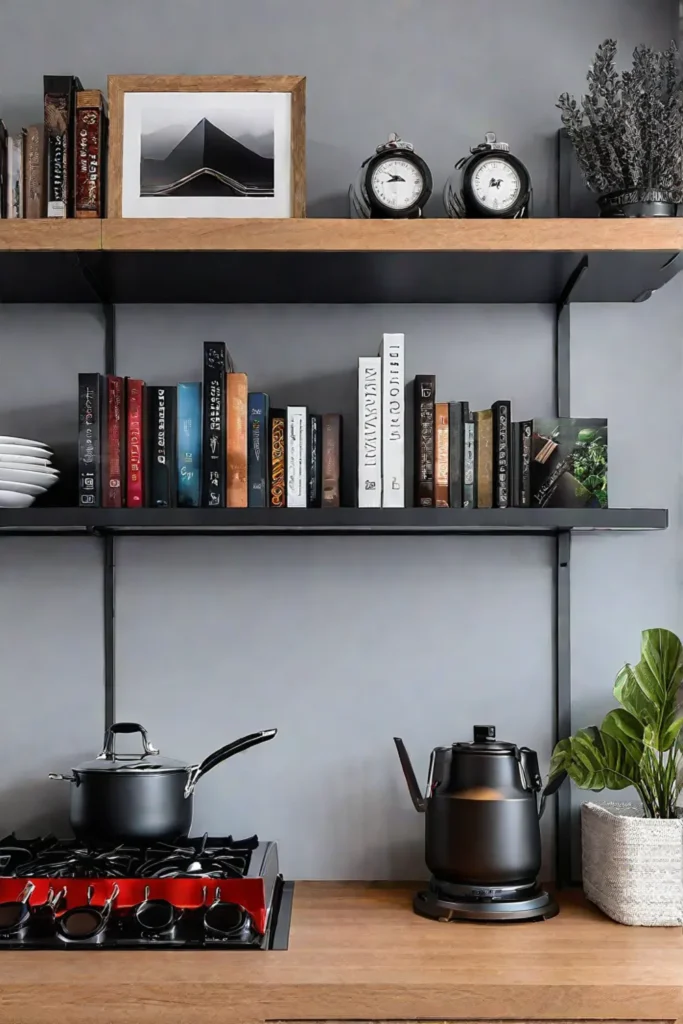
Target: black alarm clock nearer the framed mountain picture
{"x":394,"y":183}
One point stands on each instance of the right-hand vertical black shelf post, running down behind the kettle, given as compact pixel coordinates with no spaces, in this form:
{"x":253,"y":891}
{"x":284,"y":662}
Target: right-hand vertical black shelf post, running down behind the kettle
{"x":563,"y":632}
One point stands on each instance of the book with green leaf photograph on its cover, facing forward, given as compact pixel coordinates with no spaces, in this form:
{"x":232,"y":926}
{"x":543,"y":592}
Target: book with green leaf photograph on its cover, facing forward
{"x":570,"y":463}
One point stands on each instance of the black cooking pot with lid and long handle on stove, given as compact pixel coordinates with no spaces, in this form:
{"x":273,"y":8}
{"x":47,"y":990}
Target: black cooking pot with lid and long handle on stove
{"x":133,"y":799}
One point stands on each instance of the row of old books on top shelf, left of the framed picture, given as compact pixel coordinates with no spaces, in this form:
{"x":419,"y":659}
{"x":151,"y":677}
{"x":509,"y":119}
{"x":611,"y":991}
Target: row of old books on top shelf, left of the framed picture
{"x":57,"y":169}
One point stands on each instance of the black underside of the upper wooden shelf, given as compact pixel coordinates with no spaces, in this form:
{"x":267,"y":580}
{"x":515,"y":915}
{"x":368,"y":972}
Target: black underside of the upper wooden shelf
{"x":420,"y":277}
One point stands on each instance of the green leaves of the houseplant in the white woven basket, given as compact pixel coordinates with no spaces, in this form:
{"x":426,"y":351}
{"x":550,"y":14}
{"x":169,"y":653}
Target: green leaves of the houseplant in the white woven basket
{"x":639,"y":744}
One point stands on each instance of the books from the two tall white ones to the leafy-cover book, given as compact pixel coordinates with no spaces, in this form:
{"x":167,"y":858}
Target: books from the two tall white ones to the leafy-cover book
{"x":467,"y":459}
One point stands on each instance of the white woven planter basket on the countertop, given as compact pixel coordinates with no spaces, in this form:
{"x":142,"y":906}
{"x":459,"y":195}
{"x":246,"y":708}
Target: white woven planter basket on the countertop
{"x":633,"y":867}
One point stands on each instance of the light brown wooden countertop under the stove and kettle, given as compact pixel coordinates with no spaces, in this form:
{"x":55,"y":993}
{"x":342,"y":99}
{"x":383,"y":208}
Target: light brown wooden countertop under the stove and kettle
{"x":359,"y":953}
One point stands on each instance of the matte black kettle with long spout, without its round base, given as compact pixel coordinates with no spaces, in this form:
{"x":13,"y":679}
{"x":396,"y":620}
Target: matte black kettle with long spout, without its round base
{"x":482,"y":812}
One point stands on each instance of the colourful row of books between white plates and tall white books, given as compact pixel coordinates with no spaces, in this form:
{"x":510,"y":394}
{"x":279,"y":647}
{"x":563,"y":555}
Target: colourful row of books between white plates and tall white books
{"x":215,"y":445}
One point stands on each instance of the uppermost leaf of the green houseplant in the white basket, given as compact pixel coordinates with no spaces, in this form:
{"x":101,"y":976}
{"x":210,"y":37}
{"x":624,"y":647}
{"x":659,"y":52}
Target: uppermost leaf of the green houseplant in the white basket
{"x":649,"y":691}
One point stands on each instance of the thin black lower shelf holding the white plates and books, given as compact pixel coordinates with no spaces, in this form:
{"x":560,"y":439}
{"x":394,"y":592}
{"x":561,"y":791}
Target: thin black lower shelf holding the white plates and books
{"x":338,"y":522}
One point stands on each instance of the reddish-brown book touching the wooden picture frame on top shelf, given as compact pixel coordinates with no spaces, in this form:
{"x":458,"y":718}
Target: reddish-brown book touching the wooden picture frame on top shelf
{"x":90,"y":154}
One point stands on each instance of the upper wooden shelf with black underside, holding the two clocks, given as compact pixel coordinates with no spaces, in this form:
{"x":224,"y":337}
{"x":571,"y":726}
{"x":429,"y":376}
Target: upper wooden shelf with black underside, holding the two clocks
{"x":337,"y":261}
